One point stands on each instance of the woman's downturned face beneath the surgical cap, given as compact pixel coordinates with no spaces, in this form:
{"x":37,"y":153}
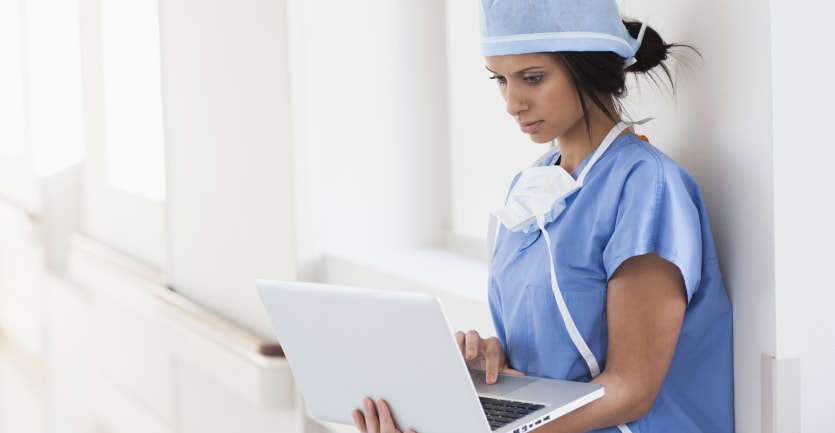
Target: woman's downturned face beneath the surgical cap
{"x":540,"y":95}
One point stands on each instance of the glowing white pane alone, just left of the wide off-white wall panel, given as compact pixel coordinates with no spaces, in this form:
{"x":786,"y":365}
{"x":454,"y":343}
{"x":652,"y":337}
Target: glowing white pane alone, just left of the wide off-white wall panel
{"x":133,"y":97}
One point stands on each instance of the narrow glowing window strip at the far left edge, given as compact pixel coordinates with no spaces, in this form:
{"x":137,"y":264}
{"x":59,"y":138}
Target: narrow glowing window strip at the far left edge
{"x":11,"y":82}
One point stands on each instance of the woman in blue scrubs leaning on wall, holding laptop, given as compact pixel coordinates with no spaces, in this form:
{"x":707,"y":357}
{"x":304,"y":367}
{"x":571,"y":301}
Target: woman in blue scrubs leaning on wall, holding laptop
{"x":604,"y":267}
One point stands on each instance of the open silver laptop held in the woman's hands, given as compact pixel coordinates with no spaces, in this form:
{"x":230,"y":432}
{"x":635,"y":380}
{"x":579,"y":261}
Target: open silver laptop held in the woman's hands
{"x":347,"y":343}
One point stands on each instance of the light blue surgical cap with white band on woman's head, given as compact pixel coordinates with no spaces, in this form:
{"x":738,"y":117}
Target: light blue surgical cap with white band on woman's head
{"x":537,"y":26}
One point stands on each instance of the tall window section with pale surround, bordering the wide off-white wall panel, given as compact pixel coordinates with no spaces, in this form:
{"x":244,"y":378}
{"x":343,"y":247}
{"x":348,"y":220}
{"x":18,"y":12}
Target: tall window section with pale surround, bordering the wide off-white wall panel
{"x":124,"y":181}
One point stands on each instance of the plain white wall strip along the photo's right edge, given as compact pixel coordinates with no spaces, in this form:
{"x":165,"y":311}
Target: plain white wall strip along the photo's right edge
{"x":804,"y":202}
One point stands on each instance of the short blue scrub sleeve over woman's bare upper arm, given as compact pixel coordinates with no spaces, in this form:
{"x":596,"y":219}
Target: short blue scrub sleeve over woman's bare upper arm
{"x":658,"y":213}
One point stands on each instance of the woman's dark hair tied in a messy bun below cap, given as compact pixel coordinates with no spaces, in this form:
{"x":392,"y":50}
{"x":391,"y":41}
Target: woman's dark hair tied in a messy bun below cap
{"x":597,"y":73}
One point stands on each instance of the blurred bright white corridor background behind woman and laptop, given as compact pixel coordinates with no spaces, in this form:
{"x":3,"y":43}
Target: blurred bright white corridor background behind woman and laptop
{"x":156,"y":157}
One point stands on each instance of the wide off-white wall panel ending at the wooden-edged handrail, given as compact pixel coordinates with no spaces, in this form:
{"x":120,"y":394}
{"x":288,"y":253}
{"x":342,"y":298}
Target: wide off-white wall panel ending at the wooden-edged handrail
{"x":227,"y":133}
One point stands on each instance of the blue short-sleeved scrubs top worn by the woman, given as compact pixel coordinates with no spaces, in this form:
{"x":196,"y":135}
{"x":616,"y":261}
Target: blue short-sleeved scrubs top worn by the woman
{"x":635,"y":200}
